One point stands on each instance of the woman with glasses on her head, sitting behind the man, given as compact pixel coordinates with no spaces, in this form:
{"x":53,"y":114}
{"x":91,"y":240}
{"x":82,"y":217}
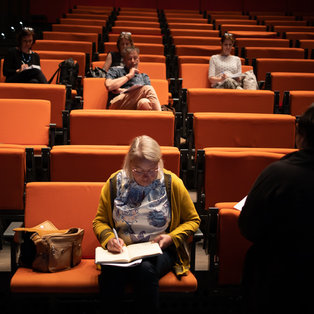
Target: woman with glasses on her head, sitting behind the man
{"x":115,"y":58}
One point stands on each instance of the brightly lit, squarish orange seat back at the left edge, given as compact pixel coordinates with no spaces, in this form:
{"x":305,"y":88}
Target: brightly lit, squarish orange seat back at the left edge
{"x":24,"y":121}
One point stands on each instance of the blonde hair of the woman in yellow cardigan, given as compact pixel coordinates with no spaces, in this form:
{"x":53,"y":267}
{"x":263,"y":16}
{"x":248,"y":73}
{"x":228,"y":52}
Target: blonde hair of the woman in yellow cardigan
{"x":142,"y":147}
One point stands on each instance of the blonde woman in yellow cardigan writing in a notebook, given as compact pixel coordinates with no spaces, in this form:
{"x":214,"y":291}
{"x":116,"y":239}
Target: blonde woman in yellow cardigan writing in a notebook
{"x":144,"y":202}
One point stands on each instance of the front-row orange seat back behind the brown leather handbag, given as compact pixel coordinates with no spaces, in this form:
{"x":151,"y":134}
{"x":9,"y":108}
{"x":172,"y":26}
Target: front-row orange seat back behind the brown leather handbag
{"x":66,"y":205}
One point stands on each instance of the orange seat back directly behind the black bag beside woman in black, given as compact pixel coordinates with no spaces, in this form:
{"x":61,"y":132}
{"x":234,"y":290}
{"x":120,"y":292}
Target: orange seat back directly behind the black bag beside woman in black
{"x":80,"y":57}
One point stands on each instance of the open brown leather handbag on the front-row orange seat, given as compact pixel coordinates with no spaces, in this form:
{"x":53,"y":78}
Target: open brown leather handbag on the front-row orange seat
{"x":55,"y":249}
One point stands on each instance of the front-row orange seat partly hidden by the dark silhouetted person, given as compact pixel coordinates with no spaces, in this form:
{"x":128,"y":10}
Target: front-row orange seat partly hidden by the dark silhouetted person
{"x":232,"y":247}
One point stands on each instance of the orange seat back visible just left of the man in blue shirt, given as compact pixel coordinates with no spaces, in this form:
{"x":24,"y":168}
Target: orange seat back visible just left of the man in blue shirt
{"x":95,"y":93}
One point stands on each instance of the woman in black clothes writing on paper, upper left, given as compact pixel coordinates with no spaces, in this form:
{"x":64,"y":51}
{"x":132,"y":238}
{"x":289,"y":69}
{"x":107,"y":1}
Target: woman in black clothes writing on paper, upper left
{"x":21,"y":64}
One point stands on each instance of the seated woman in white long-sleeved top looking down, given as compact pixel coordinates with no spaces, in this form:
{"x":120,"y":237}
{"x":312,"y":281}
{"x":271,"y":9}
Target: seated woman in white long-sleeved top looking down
{"x":224,"y":68}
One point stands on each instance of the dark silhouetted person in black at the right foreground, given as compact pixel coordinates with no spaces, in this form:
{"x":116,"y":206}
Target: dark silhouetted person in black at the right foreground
{"x":278,"y":217}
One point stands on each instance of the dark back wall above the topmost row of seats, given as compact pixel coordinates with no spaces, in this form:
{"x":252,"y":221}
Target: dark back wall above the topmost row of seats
{"x":28,"y":10}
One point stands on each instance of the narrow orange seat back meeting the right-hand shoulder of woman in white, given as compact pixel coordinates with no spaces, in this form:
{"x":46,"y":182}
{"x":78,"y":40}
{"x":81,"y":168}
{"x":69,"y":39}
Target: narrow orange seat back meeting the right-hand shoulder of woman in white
{"x":273,"y":52}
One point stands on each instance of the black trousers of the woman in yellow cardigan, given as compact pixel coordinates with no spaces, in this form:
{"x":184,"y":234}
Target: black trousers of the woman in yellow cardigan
{"x":144,"y":280}
